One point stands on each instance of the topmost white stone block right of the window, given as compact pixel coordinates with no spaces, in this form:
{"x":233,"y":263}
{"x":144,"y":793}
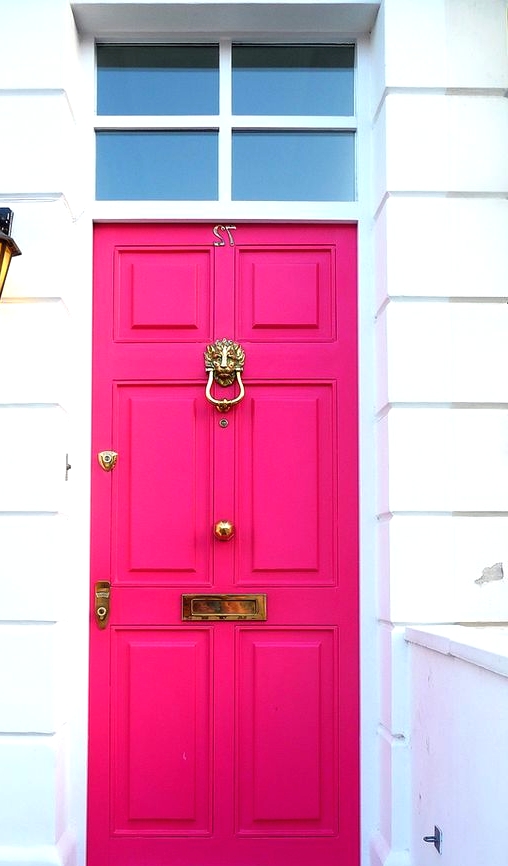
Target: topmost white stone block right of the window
{"x":444,"y":43}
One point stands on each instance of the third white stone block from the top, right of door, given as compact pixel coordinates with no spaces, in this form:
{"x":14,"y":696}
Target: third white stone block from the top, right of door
{"x":442,"y":247}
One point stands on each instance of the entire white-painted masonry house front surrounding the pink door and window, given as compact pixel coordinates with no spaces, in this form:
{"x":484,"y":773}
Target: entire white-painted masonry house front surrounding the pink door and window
{"x":433,"y":218}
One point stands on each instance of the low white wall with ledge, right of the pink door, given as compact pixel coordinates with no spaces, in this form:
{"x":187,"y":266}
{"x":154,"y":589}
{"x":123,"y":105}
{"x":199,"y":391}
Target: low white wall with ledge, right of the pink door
{"x":459,"y":761}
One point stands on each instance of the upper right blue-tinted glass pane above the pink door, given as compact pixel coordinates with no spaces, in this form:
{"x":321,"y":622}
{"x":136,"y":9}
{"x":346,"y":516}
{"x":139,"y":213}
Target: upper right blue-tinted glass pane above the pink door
{"x":293,"y":79}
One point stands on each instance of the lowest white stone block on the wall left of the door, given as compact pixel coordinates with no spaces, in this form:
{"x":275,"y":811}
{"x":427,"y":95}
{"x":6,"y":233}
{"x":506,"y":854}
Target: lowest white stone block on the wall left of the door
{"x":29,"y":769}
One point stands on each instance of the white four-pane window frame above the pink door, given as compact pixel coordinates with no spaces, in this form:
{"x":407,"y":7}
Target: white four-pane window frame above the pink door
{"x":225,"y":122}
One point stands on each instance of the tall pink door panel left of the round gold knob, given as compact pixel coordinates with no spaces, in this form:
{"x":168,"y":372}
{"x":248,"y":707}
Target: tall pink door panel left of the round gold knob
{"x":161,"y":498}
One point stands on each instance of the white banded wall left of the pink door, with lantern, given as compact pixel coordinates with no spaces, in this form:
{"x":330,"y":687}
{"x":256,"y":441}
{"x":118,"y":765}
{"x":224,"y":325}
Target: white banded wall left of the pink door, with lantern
{"x":44,"y":414}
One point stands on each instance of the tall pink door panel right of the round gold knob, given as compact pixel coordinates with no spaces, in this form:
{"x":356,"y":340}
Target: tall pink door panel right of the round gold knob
{"x":286,"y":510}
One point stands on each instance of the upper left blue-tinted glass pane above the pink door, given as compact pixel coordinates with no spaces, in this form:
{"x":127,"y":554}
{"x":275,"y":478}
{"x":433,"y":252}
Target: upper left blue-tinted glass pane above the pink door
{"x":157,"y":79}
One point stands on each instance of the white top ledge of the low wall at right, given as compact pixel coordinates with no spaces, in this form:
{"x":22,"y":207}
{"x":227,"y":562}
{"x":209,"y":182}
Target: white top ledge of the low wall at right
{"x":483,"y":646}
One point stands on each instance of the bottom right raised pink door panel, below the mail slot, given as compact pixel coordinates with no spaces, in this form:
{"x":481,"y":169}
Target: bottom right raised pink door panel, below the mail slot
{"x":287,"y":758}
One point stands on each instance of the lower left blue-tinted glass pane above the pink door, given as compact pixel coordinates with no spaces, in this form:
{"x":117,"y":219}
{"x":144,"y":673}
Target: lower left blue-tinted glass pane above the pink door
{"x":157,"y":165}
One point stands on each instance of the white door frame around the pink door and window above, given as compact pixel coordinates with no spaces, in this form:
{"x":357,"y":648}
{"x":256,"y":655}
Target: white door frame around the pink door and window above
{"x":358,"y":212}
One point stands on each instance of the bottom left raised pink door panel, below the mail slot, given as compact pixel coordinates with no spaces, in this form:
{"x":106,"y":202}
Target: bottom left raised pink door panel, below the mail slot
{"x":161,"y":732}
